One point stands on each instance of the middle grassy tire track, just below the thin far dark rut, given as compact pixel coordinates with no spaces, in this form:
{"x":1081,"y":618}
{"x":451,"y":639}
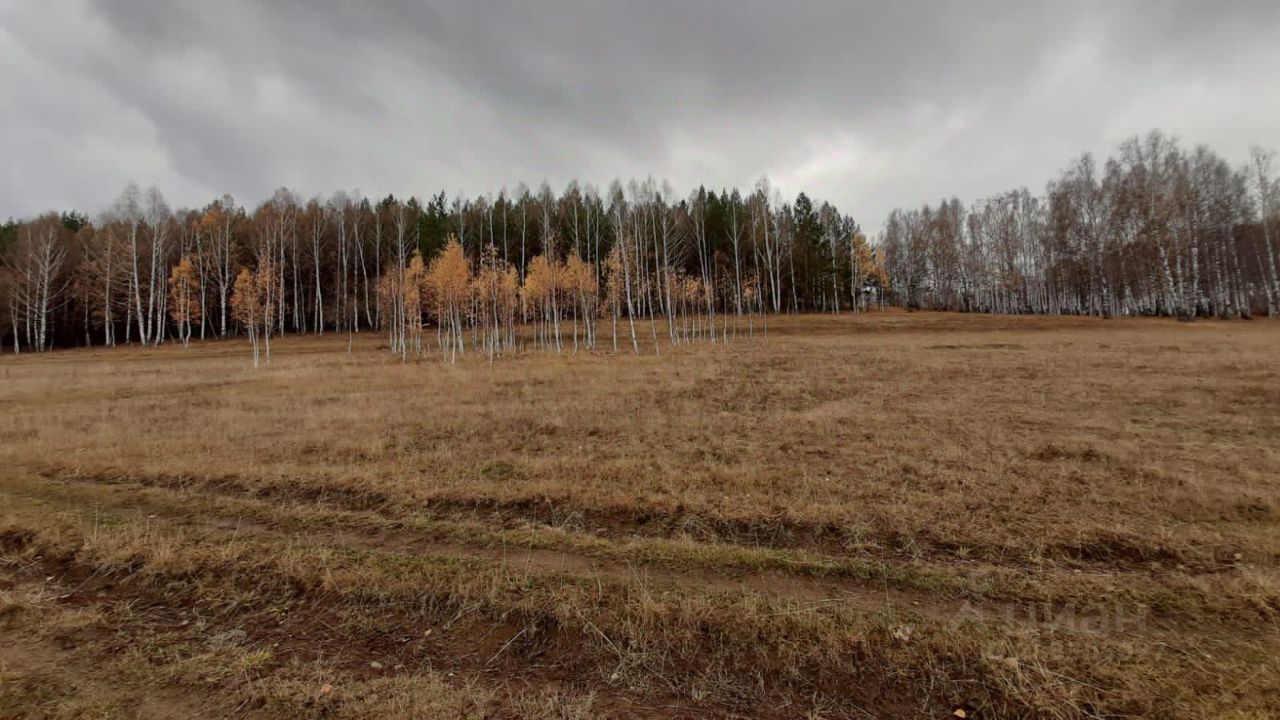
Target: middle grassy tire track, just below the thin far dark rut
{"x":253,"y":517}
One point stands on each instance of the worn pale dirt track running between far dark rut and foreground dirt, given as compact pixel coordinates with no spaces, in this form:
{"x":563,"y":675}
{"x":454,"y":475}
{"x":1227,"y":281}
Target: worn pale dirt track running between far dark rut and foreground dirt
{"x":190,"y":508}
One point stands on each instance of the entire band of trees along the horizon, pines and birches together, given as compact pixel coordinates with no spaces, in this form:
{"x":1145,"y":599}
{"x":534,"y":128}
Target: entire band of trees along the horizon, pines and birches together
{"x":1155,"y":230}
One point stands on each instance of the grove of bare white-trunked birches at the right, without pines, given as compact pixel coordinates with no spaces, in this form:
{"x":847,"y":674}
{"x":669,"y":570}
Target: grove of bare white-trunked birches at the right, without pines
{"x":1153,"y":231}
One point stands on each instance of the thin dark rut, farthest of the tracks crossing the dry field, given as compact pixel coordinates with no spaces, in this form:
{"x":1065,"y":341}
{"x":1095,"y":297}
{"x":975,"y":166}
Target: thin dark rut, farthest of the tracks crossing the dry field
{"x":1110,"y":555}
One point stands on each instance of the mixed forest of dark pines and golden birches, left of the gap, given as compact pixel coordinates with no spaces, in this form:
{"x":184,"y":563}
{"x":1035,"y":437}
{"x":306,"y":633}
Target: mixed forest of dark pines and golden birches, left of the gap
{"x":705,"y":267}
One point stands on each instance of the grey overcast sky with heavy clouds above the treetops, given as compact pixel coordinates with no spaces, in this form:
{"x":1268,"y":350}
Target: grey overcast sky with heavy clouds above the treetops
{"x":872,"y":106}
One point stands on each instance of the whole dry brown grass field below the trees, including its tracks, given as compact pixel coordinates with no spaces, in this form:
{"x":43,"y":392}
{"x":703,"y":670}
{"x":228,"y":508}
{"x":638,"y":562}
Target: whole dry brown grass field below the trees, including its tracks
{"x":872,"y":517}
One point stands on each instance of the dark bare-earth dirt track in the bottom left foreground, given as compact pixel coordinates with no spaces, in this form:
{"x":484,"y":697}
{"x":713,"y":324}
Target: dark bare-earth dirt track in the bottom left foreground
{"x":60,"y":675}
